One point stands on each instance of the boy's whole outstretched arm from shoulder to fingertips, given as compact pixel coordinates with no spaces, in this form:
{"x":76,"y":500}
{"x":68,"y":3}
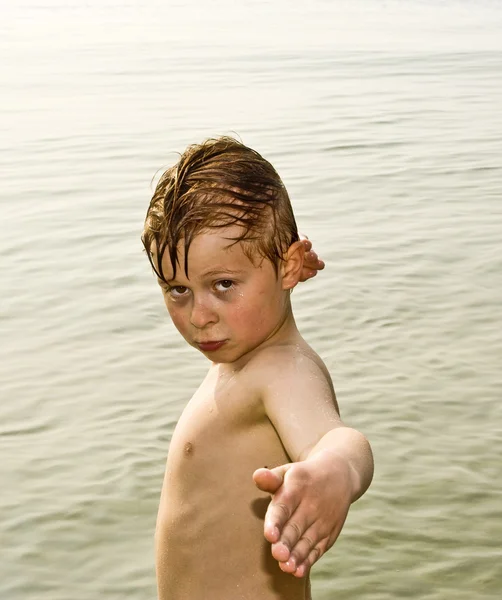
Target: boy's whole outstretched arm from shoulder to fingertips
{"x":333,"y":467}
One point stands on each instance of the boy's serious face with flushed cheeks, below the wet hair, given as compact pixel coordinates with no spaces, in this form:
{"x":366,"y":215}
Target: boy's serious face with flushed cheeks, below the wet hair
{"x":227,"y":306}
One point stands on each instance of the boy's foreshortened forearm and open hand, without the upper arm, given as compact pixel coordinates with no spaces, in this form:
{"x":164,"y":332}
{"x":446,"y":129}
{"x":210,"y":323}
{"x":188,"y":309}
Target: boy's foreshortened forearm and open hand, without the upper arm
{"x":311,"y":498}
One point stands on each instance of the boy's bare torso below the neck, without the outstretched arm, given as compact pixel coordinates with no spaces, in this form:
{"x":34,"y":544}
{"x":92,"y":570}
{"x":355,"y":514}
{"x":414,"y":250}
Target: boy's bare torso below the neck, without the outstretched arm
{"x":209,"y":538}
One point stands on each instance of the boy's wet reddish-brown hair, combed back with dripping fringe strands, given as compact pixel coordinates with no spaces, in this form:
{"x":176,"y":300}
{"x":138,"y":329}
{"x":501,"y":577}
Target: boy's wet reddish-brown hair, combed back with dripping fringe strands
{"x":214,"y":185}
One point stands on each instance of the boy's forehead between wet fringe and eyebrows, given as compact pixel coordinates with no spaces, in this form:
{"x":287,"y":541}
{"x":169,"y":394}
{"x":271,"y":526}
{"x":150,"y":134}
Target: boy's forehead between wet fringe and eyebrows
{"x":210,"y":252}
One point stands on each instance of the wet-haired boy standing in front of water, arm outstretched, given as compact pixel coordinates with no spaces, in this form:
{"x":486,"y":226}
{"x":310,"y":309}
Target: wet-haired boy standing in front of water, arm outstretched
{"x":222,"y":239}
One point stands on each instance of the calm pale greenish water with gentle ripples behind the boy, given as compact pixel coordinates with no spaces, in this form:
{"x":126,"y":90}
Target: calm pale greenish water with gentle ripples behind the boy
{"x":384,"y":121}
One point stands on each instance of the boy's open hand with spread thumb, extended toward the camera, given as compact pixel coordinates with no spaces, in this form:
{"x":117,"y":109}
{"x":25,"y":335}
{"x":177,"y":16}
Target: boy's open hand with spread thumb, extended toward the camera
{"x":310,"y":502}
